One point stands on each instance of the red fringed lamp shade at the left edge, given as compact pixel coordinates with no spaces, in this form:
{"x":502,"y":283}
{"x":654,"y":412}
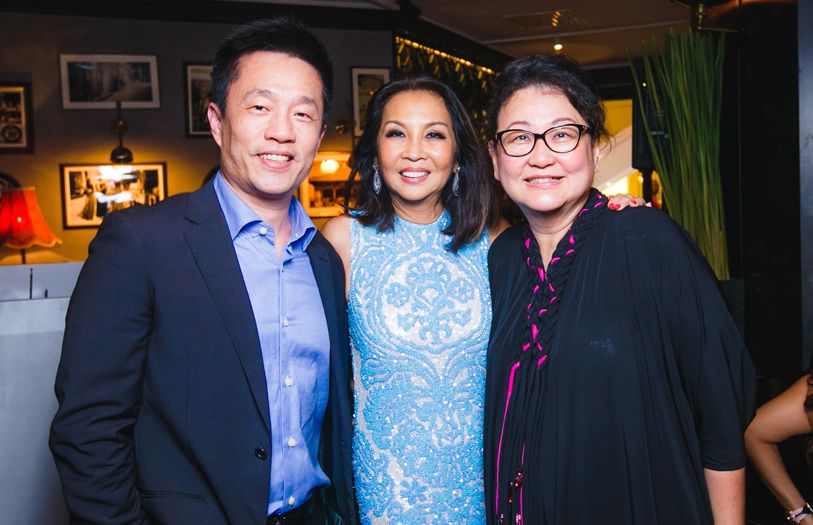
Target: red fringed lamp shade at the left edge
{"x":21,"y":222}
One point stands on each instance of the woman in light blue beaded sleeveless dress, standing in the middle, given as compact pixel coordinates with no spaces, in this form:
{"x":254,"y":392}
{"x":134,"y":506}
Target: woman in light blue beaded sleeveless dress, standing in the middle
{"x":415,"y":250}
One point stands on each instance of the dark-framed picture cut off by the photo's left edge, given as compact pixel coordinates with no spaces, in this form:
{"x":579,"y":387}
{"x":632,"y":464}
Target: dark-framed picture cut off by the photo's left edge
{"x":16,"y":126}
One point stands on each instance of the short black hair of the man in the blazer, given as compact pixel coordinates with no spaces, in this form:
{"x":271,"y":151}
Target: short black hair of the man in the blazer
{"x":281,"y":35}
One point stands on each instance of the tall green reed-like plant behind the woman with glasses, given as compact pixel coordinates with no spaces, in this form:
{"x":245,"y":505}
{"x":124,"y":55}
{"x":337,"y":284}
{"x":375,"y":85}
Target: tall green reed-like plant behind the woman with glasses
{"x":684,"y":86}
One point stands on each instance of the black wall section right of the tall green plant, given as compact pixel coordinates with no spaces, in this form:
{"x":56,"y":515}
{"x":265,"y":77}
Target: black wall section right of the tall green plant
{"x":760,"y":163}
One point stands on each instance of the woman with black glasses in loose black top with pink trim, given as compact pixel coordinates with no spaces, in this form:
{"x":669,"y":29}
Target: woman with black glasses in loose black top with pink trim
{"x":618,"y":386}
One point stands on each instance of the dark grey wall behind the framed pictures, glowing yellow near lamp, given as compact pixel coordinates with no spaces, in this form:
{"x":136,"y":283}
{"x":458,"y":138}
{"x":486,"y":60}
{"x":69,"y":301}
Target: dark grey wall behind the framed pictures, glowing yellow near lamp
{"x":85,"y":136}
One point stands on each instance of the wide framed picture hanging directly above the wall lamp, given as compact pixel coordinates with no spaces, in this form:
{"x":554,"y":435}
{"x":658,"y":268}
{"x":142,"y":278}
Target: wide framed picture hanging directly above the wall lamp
{"x":98,"y":81}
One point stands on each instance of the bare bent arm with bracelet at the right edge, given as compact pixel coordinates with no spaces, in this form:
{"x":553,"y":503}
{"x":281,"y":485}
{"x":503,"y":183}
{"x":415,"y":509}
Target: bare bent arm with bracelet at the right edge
{"x":787,"y":415}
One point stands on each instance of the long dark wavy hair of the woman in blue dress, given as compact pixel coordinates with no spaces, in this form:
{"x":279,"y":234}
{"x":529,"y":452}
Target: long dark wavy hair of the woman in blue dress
{"x":474,"y":208}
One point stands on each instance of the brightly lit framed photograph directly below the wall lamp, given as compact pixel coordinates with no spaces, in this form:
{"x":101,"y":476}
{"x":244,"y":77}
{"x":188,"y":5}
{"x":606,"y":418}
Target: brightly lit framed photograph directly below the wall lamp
{"x":91,"y":191}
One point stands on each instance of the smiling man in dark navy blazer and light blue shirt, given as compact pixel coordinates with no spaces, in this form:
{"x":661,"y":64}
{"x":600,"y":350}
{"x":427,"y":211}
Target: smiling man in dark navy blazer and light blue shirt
{"x":204,"y":374}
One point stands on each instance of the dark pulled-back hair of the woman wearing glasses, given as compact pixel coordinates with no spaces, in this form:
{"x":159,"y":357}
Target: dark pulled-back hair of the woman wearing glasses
{"x":555,"y":72}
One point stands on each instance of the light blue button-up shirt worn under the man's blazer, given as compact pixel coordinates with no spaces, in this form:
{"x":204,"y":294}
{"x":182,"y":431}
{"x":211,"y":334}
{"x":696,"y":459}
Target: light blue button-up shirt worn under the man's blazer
{"x":294,"y":341}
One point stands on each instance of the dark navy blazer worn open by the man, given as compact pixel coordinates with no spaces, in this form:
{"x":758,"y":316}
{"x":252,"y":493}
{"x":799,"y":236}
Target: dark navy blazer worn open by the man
{"x":163,"y":411}
